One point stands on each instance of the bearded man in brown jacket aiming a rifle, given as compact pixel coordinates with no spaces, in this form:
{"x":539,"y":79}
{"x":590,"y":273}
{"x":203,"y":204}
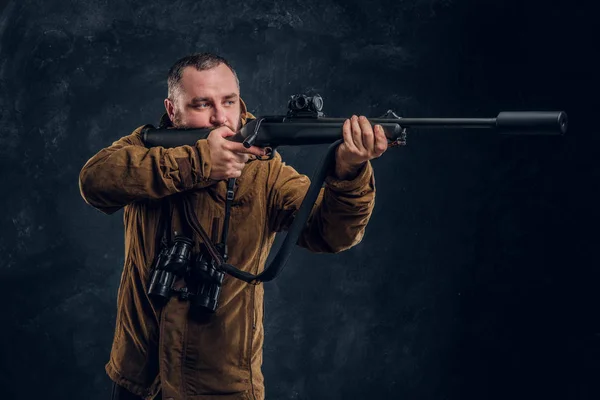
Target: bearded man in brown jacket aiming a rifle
{"x":160,"y":347}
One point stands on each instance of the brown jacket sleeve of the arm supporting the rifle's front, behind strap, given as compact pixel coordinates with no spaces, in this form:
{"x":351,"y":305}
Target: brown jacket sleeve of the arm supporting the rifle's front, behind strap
{"x":339,"y":216}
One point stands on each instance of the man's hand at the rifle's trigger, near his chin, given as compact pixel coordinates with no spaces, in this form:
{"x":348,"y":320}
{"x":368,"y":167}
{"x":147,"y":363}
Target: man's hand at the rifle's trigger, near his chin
{"x":228,"y":158}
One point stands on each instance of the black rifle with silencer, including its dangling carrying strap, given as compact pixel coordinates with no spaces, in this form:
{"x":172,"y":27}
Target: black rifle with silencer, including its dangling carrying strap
{"x":305,"y":124}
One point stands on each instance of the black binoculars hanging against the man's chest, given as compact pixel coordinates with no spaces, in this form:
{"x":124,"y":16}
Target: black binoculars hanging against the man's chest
{"x":202,"y":278}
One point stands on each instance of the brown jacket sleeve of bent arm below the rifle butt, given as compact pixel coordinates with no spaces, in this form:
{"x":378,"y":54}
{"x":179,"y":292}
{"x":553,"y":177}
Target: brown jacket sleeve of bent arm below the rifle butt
{"x":127,"y":171}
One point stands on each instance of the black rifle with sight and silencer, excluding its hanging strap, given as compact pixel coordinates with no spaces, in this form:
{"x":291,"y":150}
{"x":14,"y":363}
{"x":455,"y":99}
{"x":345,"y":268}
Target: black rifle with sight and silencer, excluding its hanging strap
{"x":306,"y":124}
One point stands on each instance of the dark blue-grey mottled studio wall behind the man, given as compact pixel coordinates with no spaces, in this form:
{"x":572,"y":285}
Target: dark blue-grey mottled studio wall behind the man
{"x":477,"y":278}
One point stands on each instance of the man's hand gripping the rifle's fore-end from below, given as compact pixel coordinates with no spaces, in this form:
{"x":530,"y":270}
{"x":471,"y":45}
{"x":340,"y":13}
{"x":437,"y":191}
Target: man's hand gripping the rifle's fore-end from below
{"x":362,"y":143}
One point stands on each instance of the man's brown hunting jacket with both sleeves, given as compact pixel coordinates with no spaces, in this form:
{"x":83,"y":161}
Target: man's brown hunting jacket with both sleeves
{"x":219,"y":356}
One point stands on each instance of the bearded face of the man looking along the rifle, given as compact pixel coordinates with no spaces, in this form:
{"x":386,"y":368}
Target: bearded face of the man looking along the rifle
{"x":206,"y":99}
